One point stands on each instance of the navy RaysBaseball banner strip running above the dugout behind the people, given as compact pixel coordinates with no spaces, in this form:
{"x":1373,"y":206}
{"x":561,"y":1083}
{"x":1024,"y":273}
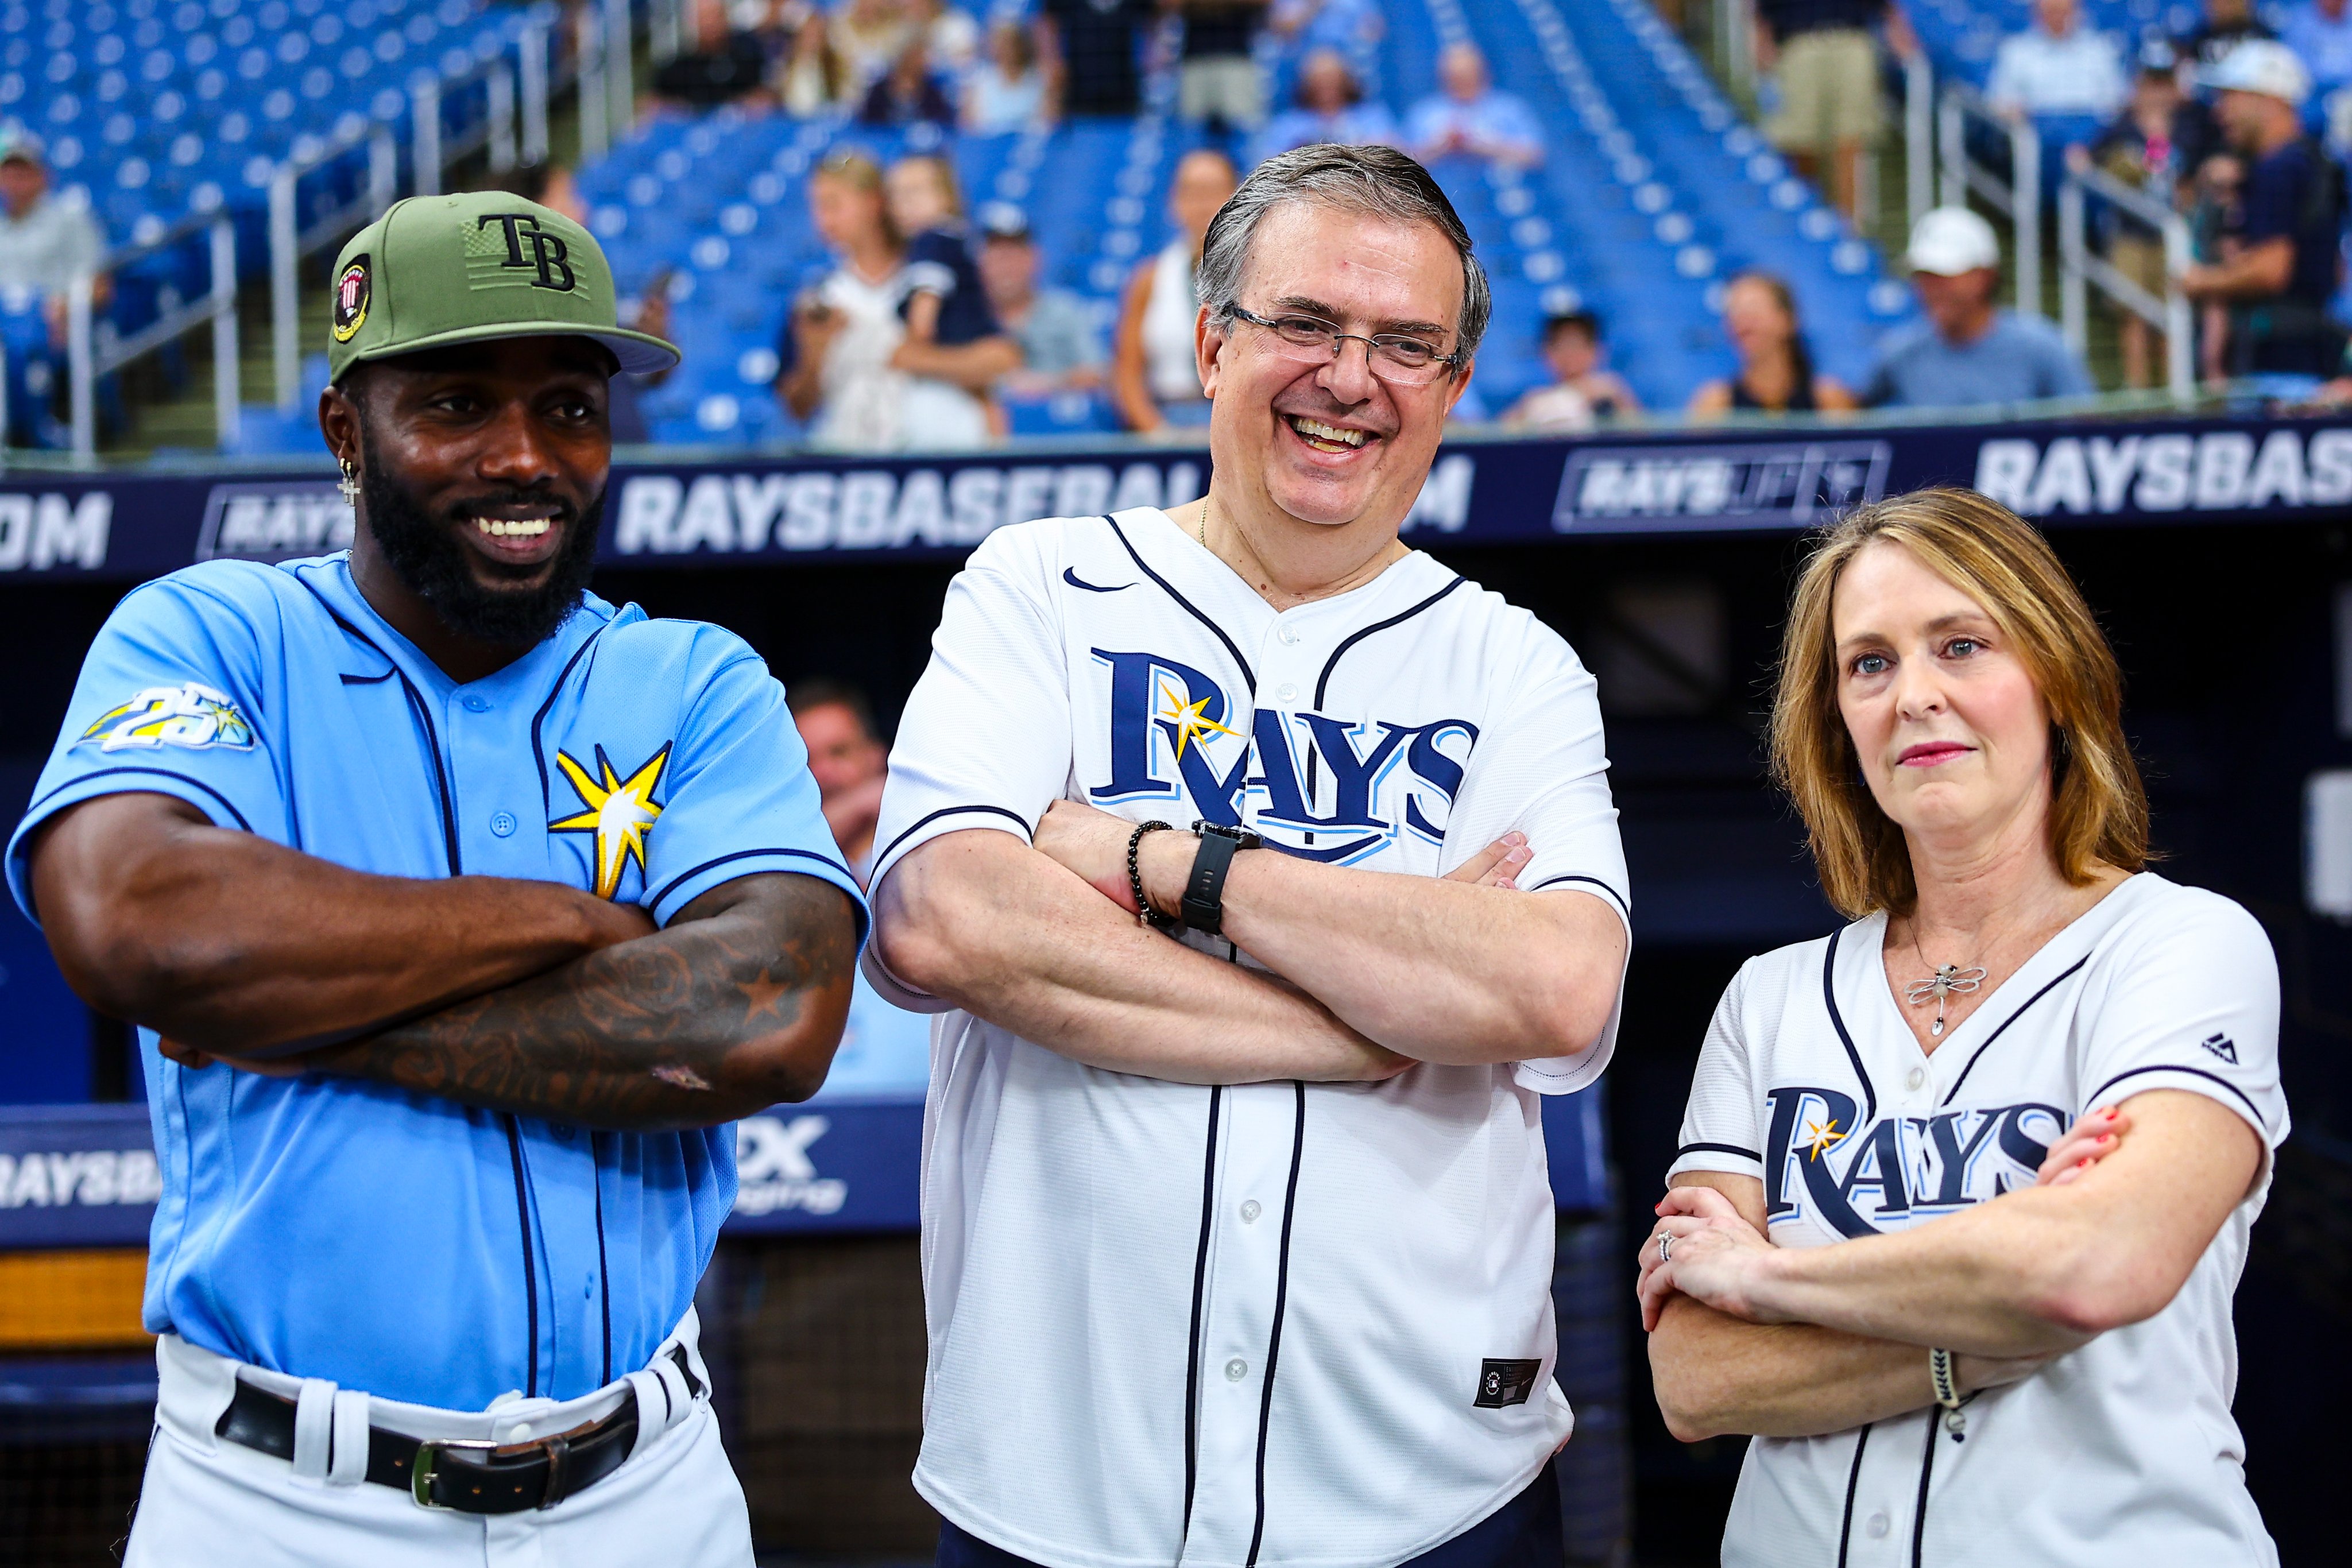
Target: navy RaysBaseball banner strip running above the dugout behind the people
{"x":766,"y":509}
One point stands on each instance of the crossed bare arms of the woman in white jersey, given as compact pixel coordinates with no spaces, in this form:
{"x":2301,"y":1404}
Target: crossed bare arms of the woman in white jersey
{"x":1749,"y":1336}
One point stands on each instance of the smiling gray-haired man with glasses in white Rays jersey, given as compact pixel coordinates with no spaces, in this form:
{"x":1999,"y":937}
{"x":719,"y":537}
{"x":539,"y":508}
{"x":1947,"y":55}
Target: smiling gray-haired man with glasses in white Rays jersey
{"x":1238,"y":1235}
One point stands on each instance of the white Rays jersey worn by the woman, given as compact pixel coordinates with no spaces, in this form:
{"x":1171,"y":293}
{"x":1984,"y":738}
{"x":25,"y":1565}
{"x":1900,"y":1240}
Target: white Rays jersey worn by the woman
{"x":2116,"y":1454}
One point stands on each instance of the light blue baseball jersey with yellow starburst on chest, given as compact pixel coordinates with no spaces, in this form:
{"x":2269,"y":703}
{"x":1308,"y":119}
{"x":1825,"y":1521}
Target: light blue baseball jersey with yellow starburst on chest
{"x":387,"y":1240}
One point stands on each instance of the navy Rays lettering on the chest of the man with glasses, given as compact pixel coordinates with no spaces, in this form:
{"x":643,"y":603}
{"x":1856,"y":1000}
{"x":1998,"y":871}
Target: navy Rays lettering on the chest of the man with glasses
{"x":1170,"y":742}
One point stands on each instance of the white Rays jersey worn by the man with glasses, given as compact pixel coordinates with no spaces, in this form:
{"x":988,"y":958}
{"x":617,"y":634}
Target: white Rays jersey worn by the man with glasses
{"x":1281,"y":1322}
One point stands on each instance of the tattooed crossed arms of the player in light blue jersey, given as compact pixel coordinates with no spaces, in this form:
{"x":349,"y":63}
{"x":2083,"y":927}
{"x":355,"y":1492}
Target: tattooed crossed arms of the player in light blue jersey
{"x":514,"y":996}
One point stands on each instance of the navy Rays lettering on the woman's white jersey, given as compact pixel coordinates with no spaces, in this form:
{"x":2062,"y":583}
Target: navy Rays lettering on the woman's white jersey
{"x":1862,"y":1181}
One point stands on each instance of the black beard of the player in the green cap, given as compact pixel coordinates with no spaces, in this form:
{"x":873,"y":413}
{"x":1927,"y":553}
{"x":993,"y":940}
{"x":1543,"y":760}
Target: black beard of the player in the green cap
{"x":432,"y":565}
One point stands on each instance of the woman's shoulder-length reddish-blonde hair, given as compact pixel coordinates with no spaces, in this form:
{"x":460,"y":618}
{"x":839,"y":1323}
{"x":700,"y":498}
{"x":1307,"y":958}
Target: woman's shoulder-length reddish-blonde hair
{"x":2099,"y":808}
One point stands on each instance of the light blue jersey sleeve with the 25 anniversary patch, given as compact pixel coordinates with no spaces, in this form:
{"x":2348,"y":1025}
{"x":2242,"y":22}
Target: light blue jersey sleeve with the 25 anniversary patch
{"x":175,"y":699}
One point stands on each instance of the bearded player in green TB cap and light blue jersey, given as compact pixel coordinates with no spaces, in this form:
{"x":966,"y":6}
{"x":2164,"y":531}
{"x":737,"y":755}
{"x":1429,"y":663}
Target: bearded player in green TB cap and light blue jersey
{"x":460,"y":913}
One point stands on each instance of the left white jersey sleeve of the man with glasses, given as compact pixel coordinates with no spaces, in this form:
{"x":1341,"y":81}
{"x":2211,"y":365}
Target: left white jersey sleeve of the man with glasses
{"x":987,"y":735}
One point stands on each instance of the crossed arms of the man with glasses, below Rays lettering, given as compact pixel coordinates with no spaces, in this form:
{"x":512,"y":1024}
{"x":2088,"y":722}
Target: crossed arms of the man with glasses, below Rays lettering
{"x":1365,"y":972}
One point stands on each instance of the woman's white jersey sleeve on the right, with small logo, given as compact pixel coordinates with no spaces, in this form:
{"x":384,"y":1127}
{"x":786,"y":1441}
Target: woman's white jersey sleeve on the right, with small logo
{"x":2193,"y":1003}
